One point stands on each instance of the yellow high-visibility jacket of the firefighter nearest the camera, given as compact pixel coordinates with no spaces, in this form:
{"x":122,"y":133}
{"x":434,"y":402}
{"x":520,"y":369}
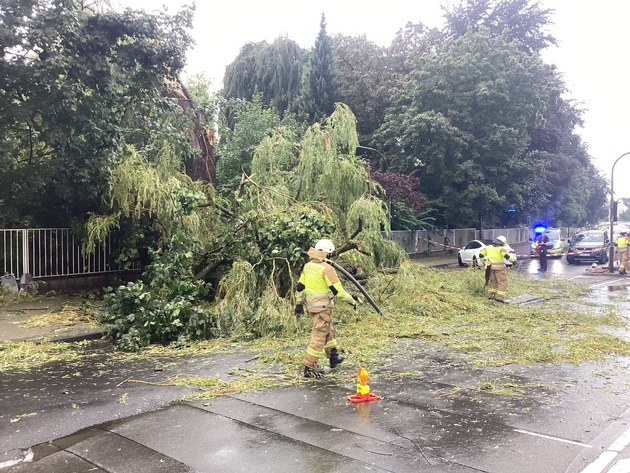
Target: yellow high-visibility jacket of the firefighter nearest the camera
{"x":319,"y":284}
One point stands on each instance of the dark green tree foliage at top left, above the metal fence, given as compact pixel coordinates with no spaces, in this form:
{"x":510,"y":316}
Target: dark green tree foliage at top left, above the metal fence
{"x":76,"y":85}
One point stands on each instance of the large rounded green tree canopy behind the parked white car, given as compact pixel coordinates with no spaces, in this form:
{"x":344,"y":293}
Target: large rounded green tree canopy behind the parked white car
{"x":464,"y":126}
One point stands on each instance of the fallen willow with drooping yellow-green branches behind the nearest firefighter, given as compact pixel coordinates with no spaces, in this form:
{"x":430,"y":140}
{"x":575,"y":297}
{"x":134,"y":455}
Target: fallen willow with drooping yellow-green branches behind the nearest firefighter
{"x":247,"y":247}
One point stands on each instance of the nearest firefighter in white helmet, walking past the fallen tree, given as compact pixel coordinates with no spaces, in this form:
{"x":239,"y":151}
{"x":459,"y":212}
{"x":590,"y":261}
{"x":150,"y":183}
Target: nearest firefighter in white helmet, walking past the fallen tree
{"x":318,"y":287}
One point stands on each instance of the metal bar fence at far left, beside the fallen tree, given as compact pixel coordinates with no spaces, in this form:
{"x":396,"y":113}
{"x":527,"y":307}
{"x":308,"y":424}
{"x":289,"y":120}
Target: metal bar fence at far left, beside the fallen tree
{"x":44,"y":252}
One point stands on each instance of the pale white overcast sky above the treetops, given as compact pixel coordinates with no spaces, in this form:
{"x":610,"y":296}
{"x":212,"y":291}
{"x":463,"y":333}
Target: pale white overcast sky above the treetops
{"x":592,"y":51}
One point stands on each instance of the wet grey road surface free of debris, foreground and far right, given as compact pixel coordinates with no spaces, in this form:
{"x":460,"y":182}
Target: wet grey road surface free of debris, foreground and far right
{"x":432,"y":416}
